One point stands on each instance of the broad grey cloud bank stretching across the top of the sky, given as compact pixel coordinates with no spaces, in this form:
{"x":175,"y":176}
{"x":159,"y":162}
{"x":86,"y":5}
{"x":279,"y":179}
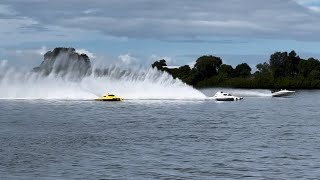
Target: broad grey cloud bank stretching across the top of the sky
{"x":186,"y":19}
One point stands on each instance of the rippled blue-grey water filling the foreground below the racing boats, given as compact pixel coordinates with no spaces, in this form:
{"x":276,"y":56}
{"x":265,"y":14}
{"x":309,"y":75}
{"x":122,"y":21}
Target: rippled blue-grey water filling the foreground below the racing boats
{"x":257,"y":138}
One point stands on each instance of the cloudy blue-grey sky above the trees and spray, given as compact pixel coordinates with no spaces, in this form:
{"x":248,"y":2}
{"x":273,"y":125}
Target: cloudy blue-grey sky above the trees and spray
{"x":144,"y":30}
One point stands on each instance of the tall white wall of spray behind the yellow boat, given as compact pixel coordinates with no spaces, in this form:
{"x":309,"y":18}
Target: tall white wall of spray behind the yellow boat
{"x":127,"y":83}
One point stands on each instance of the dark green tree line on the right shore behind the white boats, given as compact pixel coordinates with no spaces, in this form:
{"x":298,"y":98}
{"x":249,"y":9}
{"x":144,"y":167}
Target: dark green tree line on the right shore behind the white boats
{"x":283,"y":70}
